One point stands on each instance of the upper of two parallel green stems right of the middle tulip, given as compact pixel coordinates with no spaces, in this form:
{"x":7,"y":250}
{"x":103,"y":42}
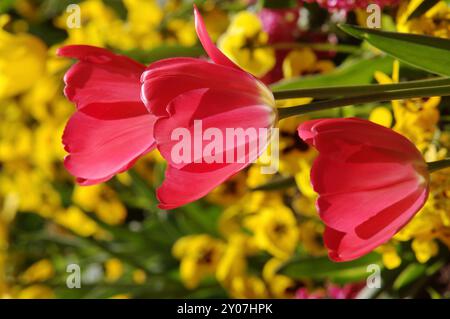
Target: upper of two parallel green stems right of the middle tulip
{"x":328,"y":92}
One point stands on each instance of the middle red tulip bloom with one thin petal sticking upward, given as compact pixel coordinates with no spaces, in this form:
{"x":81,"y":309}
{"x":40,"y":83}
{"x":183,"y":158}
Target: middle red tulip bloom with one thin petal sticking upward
{"x":220,"y":95}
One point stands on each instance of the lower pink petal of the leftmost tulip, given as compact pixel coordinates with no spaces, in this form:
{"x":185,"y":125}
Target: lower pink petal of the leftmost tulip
{"x":100,"y":148}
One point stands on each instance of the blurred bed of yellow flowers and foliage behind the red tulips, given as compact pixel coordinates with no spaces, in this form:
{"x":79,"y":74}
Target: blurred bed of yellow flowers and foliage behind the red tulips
{"x":255,"y":236}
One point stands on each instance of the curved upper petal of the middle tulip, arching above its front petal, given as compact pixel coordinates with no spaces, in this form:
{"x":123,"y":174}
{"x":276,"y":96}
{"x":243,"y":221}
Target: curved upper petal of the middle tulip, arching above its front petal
{"x":166,"y":79}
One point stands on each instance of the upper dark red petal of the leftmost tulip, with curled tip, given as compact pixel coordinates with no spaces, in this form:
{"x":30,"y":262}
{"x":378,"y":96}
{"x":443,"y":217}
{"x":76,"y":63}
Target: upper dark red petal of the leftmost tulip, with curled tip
{"x":104,"y":79}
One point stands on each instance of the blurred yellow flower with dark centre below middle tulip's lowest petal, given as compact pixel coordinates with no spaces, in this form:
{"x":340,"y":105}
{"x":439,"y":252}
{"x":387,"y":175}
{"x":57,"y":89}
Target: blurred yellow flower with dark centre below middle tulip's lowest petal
{"x":199,"y":256}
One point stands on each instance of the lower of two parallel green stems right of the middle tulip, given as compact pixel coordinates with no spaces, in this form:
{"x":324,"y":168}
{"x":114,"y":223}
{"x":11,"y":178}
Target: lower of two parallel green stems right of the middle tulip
{"x":378,"y":97}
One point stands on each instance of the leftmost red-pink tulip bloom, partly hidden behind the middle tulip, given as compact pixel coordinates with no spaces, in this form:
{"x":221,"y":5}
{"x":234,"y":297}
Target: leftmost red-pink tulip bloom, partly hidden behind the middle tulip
{"x":111,"y":127}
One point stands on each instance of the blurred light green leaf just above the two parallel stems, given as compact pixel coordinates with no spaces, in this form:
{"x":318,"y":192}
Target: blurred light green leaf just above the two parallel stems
{"x":353,"y":72}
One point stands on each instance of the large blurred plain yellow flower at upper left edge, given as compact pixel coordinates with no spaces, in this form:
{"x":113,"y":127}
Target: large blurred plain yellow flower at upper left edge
{"x":22,"y":61}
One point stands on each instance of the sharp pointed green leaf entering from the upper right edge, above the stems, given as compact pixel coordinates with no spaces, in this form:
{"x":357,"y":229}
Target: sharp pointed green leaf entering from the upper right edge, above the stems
{"x":424,"y":52}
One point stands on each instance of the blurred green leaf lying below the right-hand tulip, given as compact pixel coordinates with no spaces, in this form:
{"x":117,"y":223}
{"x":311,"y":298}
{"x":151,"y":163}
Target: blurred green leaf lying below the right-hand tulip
{"x":320,"y":268}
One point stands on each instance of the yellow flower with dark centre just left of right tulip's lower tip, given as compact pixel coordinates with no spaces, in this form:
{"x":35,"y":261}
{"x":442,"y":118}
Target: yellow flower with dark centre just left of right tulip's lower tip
{"x":275,"y":230}
